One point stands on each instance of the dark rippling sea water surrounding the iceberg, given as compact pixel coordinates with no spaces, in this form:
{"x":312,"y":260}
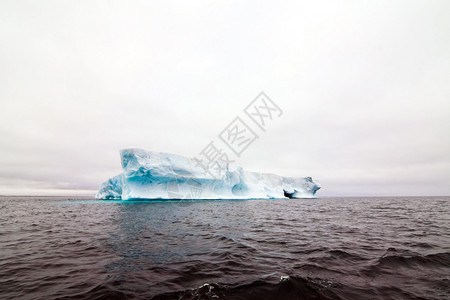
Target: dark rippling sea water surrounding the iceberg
{"x":329,"y":248}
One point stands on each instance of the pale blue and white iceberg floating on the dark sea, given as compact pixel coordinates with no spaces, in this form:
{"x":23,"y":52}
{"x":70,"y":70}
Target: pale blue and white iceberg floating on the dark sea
{"x":157,"y":175}
